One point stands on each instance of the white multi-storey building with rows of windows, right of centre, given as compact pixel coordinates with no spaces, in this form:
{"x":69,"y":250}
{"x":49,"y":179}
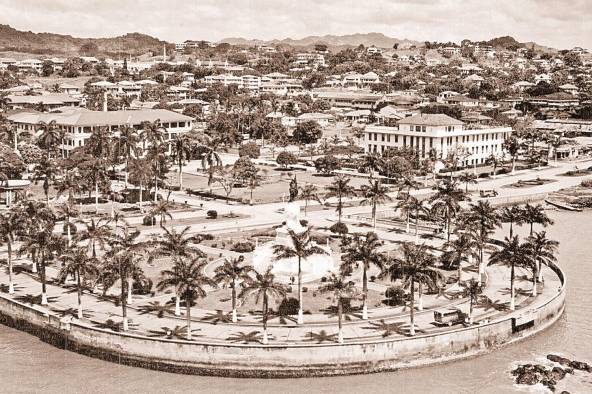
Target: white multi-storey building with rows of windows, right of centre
{"x":440,"y":133}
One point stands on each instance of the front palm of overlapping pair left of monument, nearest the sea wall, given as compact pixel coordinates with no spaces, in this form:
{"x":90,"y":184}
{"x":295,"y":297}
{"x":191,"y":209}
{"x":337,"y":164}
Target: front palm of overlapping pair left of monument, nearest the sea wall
{"x":189,"y":279}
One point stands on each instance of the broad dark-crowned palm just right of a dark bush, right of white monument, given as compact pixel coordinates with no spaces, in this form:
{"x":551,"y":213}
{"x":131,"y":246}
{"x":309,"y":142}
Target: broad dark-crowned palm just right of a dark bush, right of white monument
{"x":414,"y":265}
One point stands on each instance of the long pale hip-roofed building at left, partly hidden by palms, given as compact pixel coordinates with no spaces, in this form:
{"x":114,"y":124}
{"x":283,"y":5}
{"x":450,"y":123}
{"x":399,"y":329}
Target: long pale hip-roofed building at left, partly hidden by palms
{"x":79,"y":123}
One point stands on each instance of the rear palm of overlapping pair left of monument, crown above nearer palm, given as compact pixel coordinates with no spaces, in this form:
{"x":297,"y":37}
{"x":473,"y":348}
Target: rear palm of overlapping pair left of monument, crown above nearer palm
{"x":176,"y":244}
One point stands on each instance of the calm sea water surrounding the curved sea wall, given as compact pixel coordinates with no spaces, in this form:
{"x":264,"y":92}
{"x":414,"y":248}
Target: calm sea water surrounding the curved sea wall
{"x":28,"y":365}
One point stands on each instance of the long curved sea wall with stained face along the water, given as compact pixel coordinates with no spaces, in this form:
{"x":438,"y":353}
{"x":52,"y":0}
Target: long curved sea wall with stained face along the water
{"x":283,"y":361}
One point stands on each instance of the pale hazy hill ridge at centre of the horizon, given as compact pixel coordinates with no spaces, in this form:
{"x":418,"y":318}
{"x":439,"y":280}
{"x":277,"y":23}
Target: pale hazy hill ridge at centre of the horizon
{"x":349,"y":40}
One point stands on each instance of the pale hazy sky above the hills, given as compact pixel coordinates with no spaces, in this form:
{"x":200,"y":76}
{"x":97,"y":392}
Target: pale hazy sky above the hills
{"x":558,"y":23}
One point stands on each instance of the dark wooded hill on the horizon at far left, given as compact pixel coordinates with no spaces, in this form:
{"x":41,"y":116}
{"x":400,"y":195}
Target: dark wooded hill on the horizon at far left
{"x":50,"y":43}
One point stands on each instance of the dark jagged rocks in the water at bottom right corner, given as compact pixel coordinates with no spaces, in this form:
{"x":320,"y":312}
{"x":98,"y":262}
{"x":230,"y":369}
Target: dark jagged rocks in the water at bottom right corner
{"x":531,"y":374}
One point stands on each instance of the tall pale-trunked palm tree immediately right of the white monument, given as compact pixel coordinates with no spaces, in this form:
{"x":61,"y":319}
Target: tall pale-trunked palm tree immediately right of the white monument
{"x":362,"y":249}
